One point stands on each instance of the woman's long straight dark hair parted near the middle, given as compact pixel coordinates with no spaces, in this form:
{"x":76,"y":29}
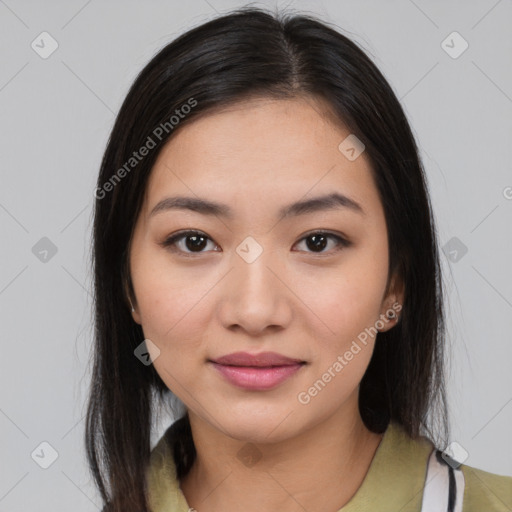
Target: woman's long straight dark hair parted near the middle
{"x":246,"y":53}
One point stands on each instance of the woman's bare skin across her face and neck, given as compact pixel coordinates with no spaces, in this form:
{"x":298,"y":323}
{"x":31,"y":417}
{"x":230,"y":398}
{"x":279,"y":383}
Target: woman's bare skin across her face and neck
{"x":256,"y":157}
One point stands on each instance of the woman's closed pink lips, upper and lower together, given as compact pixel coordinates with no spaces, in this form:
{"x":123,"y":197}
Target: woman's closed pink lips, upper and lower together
{"x":256,"y":372}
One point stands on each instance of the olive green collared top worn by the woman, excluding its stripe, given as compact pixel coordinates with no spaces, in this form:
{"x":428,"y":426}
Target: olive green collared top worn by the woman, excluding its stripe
{"x":394,"y":481}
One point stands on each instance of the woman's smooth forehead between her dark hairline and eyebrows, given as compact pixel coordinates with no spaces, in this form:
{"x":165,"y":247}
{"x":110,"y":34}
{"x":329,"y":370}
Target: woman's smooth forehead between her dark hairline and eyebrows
{"x":279,"y":150}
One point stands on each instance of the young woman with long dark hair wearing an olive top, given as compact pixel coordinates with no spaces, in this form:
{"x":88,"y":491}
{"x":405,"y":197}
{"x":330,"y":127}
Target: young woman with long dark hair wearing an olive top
{"x":265,"y":251}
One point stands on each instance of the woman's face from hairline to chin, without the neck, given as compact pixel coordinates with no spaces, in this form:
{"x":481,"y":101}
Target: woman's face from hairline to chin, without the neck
{"x":308,"y":285}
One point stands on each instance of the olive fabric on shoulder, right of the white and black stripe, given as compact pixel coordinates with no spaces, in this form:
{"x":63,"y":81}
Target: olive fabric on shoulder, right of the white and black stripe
{"x":486,"y":491}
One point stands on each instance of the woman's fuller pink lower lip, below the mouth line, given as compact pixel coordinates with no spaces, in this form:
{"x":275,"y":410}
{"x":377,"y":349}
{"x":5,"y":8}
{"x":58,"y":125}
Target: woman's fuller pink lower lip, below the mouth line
{"x":250,"y":377}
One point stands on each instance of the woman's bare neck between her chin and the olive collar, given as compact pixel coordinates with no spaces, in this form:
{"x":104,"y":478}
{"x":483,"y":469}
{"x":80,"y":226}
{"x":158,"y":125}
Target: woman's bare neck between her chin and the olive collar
{"x":319,"y":469}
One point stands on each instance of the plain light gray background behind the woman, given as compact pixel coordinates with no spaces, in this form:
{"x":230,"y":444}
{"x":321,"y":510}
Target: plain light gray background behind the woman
{"x":56,"y":114}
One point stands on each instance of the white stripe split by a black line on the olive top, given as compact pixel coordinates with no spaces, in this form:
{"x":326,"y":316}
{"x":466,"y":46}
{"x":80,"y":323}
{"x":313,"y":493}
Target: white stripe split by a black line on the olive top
{"x":437,"y":487}
